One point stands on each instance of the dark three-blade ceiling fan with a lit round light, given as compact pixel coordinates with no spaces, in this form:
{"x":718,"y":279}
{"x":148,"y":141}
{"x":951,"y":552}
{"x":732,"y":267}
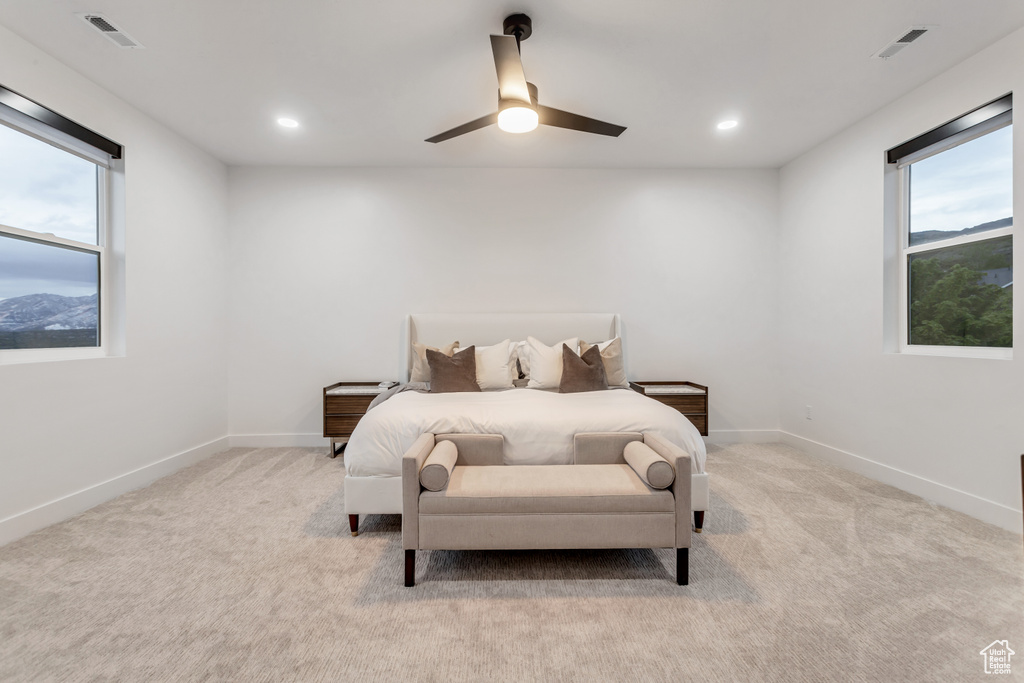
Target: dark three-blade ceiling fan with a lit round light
{"x":519,"y":111}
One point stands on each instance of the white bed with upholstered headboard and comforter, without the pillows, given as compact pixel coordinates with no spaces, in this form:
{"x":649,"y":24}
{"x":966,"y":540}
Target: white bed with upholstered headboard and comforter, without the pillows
{"x":539,"y":426}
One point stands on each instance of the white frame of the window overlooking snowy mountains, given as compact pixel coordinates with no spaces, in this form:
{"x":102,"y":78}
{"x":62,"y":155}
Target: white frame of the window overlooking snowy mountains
{"x":104,"y":203}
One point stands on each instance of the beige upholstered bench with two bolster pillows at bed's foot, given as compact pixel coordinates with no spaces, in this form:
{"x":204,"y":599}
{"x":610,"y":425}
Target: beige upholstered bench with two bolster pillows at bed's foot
{"x":624,"y":491}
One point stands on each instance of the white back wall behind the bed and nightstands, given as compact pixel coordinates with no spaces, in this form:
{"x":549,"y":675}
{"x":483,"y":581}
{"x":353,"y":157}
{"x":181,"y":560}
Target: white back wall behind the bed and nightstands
{"x":326,"y":264}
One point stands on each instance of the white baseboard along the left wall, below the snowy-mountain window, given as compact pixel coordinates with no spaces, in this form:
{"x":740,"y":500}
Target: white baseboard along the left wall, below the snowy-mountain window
{"x":23,"y":524}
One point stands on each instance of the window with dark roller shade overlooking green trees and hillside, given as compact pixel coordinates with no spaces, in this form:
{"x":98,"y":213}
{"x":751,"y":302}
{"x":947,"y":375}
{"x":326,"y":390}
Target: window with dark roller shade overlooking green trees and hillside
{"x":957,"y":235}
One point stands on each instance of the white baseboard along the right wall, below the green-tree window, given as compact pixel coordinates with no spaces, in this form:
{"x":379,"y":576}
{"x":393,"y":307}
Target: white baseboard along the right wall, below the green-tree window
{"x":980,"y":508}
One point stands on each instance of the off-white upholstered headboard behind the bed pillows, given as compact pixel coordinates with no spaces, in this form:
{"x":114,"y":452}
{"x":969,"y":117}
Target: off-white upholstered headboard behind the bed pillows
{"x":487,"y":329}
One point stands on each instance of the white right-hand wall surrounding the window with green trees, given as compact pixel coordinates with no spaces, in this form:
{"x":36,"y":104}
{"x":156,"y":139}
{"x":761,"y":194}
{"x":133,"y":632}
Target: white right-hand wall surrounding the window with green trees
{"x":950,"y":430}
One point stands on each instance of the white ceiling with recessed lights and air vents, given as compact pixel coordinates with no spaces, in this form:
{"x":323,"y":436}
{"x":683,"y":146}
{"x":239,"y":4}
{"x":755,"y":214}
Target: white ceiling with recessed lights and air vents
{"x":370,"y":80}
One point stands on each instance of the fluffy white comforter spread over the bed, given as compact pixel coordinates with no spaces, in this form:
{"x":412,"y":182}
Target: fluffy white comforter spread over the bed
{"x":538,"y":426}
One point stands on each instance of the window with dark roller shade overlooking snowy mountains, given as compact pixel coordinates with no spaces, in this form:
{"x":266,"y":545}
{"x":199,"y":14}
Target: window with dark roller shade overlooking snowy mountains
{"x":54,"y":230}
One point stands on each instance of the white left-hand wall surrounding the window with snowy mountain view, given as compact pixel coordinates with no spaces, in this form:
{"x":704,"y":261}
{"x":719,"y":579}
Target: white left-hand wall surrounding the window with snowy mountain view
{"x":74,"y":434}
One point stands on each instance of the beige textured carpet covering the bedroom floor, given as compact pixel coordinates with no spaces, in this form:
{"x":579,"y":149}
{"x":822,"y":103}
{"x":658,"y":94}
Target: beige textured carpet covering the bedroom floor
{"x":242,"y":569}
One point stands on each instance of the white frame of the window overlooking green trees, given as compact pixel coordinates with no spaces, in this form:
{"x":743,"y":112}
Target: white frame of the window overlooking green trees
{"x":906,"y":250}
